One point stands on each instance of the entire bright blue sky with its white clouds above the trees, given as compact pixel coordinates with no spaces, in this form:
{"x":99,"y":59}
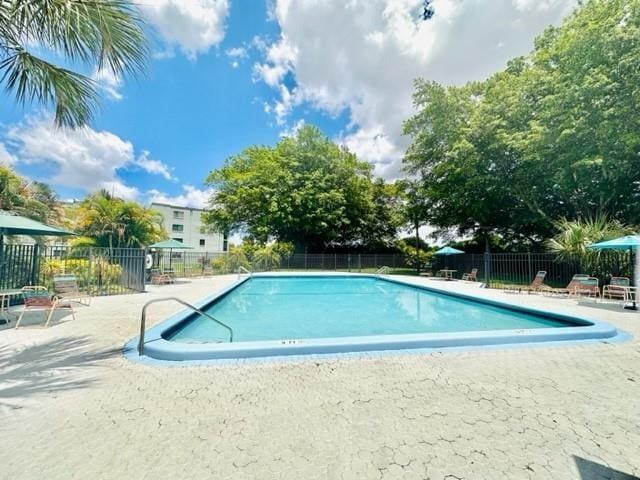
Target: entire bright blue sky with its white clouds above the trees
{"x":225,"y":74}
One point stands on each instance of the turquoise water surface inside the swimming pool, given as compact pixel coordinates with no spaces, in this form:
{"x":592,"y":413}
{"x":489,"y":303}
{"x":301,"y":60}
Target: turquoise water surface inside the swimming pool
{"x":288,"y":308}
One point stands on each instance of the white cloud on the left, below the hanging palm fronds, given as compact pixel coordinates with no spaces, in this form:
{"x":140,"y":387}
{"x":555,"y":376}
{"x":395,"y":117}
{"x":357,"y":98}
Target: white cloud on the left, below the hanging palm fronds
{"x":84,"y":158}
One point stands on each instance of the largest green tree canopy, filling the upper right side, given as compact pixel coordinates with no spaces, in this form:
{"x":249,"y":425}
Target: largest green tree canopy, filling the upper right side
{"x":554,"y":135}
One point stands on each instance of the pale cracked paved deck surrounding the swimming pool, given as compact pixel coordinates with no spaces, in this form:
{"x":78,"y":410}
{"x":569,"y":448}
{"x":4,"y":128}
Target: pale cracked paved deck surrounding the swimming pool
{"x":71,"y":407}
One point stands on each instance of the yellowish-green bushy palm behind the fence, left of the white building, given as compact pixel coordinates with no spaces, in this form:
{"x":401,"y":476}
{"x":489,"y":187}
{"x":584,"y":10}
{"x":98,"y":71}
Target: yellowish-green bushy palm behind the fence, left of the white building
{"x":113,"y":222}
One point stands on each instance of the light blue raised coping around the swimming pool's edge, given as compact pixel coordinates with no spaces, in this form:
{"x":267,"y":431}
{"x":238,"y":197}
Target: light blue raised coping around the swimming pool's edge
{"x":157,"y":348}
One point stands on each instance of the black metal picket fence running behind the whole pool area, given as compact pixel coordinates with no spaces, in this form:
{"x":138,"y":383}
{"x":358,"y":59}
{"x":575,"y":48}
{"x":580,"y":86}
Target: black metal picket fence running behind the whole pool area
{"x":105,"y":271}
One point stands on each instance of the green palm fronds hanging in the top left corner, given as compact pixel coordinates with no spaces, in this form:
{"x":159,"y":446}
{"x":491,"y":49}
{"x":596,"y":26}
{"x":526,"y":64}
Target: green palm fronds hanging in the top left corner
{"x":104,"y":34}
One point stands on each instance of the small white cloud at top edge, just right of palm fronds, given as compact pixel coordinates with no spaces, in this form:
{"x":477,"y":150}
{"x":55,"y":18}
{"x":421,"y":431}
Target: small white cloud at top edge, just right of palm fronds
{"x":193,"y":25}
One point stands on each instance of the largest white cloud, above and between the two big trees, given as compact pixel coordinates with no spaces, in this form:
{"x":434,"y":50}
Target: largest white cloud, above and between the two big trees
{"x":376,"y":49}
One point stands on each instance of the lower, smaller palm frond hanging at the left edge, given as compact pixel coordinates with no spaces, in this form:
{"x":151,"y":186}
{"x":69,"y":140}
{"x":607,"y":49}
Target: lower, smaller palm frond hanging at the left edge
{"x":31,"y":78}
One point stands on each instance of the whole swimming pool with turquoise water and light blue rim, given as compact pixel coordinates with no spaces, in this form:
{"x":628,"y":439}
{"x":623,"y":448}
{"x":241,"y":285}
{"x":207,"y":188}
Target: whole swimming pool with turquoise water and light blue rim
{"x":286,"y":315}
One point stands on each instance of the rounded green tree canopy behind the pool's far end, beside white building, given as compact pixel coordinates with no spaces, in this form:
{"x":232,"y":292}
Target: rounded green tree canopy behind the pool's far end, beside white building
{"x":305,"y":190}
